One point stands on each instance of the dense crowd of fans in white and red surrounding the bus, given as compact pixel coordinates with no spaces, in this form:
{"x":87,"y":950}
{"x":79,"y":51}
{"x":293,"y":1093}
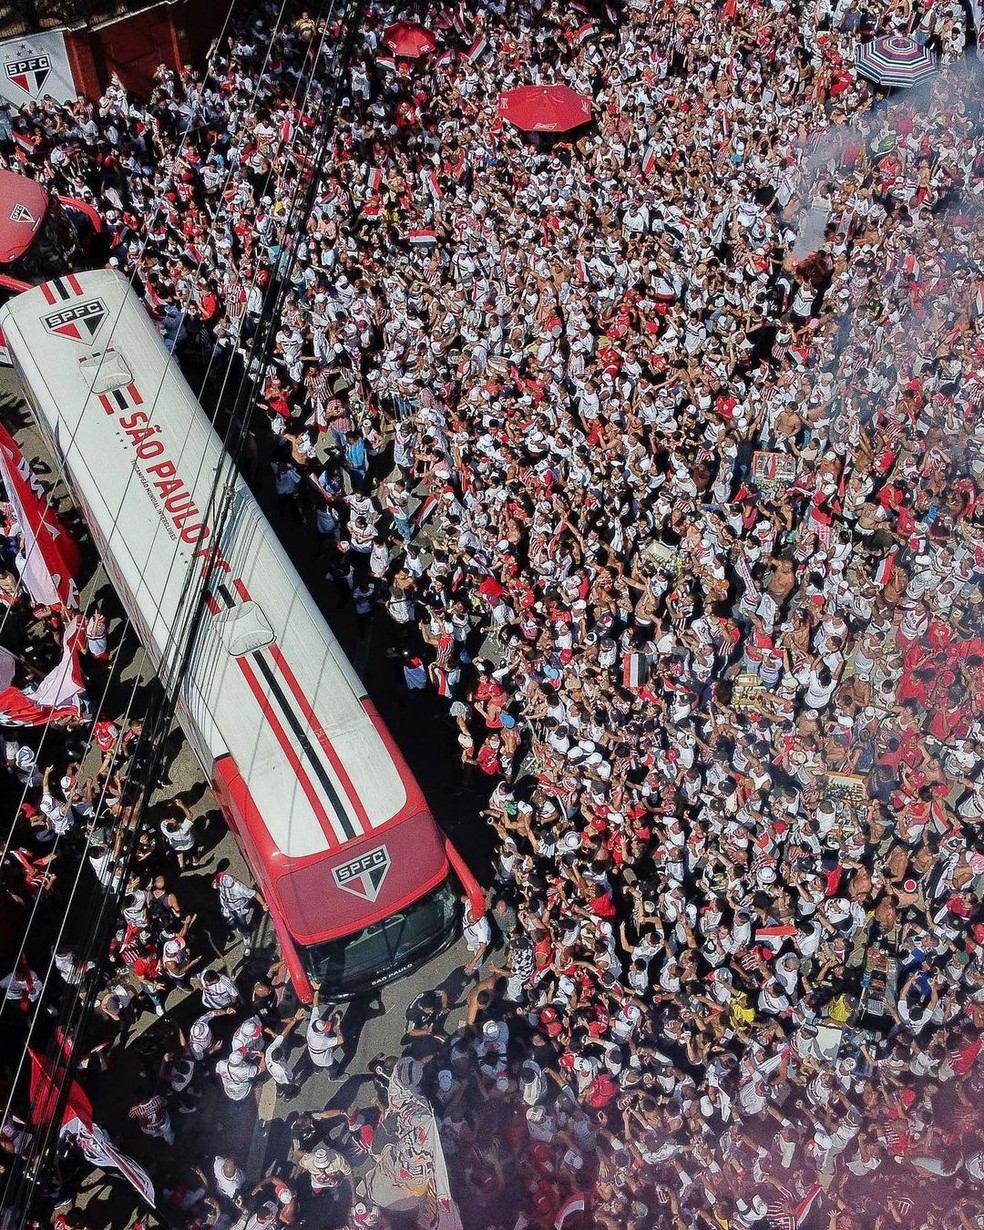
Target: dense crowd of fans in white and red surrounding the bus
{"x":657,"y":453}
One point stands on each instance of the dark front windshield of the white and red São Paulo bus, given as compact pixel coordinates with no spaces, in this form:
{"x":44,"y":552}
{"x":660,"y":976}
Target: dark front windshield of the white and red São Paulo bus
{"x":371,"y":958}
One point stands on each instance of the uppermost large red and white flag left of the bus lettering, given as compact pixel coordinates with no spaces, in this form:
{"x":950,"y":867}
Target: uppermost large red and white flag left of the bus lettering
{"x":52,"y":558}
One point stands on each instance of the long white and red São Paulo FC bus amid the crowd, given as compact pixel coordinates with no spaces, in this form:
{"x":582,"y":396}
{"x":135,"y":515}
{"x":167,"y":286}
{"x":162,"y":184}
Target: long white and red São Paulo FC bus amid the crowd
{"x":354,"y":868}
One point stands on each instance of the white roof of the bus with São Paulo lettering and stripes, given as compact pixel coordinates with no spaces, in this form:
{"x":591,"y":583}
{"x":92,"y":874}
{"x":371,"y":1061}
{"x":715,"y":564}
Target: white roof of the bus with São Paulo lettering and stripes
{"x":266,"y":681}
